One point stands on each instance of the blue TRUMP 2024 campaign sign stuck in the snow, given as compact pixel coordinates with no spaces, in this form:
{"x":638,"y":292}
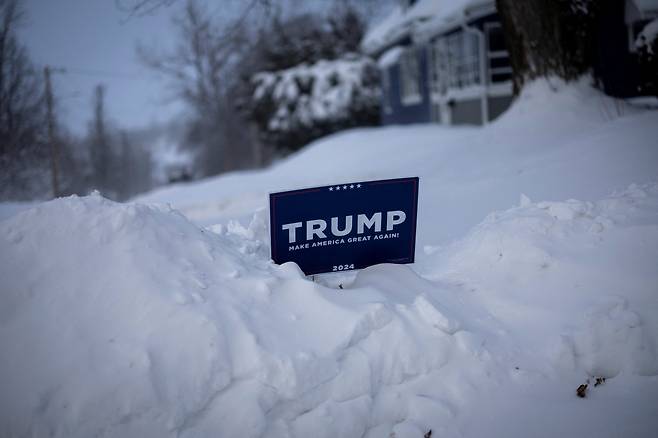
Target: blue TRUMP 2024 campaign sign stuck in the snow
{"x":345,"y":226}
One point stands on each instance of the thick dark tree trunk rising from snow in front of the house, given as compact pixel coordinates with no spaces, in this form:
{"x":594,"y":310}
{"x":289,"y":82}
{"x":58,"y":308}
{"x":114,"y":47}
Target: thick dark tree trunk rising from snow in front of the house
{"x":549,"y":37}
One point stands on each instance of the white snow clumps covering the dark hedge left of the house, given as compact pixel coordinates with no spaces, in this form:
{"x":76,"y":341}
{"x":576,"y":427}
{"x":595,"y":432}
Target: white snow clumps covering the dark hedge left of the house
{"x":325,"y":92}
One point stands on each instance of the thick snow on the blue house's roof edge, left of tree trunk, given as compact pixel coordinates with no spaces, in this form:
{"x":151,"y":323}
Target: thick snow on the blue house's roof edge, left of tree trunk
{"x":401,"y":23}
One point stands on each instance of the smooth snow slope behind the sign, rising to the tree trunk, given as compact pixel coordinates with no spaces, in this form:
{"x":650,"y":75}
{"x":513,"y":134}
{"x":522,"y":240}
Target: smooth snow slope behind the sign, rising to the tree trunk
{"x":559,"y":141}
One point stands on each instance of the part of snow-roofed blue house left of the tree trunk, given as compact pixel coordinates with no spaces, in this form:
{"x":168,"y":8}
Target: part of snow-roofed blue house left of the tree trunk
{"x":442,"y":61}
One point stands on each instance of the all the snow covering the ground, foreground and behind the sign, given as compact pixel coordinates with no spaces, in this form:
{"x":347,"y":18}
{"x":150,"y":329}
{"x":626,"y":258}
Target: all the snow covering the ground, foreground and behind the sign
{"x":536,"y":271}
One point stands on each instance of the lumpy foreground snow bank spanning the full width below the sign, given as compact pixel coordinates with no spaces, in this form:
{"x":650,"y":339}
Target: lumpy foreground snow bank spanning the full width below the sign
{"x":128,"y":320}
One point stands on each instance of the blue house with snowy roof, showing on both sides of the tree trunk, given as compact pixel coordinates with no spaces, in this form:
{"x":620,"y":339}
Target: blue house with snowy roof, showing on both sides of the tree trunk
{"x":445,"y":61}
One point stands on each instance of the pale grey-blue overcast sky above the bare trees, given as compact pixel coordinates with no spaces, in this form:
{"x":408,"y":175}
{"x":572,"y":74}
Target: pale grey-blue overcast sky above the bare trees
{"x":96,"y":43}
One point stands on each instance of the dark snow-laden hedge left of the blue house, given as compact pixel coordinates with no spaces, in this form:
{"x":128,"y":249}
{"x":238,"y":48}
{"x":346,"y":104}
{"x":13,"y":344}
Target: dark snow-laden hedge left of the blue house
{"x":300,"y":104}
